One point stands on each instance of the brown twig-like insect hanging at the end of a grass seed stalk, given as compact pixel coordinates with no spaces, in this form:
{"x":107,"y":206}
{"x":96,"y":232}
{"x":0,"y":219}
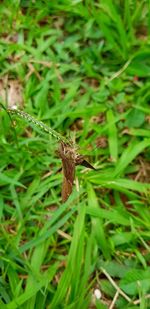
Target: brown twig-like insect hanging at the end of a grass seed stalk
{"x":70,"y":159}
